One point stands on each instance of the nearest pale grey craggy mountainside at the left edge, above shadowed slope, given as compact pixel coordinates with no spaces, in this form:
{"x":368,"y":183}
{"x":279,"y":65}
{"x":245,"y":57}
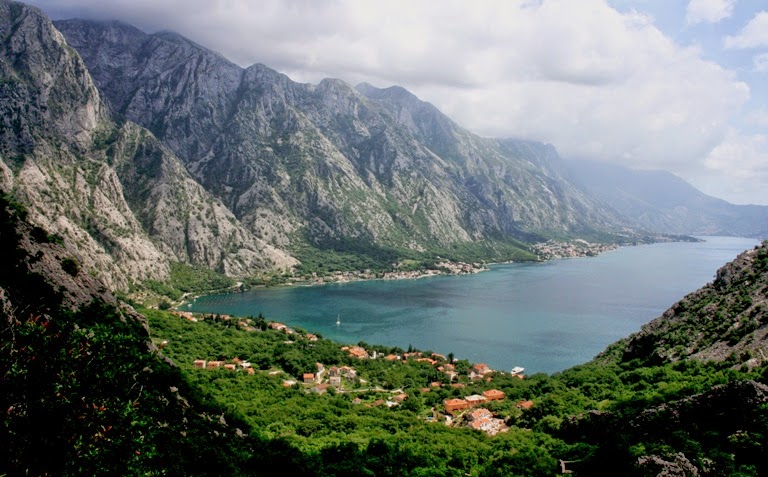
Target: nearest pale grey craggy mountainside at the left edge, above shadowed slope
{"x":112,"y":191}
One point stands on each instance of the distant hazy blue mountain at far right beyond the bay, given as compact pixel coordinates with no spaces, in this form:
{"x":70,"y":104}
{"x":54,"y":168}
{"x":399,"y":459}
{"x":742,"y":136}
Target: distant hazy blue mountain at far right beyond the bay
{"x":663,"y":202}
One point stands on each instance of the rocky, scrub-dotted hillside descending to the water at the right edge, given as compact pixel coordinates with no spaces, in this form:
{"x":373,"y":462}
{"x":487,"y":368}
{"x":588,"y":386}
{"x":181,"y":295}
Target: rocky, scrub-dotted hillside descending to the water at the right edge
{"x":726,"y":320}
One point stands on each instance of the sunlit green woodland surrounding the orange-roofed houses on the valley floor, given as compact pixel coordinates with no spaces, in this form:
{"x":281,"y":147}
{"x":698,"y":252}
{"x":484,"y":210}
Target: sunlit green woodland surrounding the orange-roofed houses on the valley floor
{"x":559,"y":426}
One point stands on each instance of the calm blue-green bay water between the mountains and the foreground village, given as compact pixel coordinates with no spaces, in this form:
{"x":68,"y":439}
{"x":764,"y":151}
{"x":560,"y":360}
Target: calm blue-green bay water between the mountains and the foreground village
{"x":545,"y":317}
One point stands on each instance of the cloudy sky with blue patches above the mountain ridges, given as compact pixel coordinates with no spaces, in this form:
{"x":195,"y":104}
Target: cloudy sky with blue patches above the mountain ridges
{"x":677,"y":85}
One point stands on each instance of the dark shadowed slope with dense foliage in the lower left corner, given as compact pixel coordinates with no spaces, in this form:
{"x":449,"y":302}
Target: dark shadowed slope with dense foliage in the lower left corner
{"x":82,"y":380}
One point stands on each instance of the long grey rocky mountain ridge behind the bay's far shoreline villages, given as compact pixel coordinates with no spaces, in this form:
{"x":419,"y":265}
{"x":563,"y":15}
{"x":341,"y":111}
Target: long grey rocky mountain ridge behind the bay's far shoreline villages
{"x":336,"y":167}
